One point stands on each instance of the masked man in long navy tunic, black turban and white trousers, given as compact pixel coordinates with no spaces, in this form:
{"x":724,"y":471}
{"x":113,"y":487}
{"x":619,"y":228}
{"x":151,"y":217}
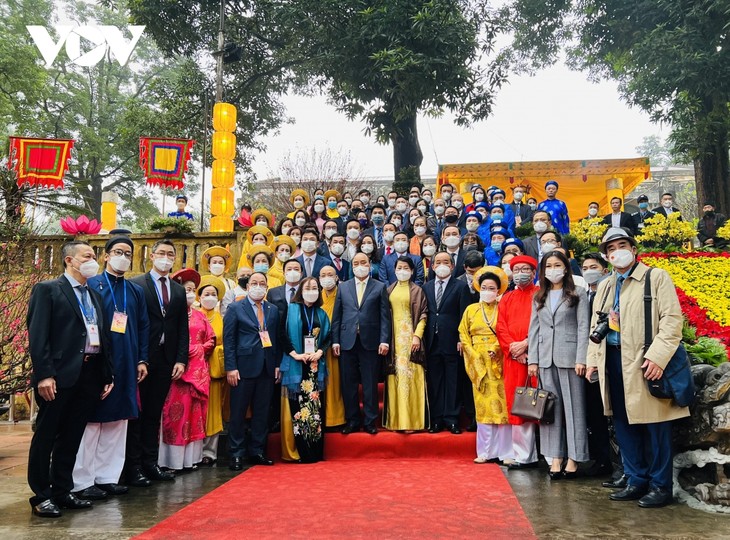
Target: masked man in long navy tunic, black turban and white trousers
{"x":100,"y":459}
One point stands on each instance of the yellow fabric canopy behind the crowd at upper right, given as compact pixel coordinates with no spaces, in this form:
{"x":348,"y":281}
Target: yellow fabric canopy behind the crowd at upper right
{"x":581,"y":182}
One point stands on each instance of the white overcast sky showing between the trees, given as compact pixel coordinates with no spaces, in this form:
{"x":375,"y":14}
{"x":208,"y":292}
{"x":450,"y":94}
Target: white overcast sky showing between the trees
{"x":554,"y":115}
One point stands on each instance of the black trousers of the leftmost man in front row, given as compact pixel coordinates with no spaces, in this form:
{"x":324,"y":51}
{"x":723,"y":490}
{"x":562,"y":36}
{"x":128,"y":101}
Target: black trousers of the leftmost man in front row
{"x":60,"y":426}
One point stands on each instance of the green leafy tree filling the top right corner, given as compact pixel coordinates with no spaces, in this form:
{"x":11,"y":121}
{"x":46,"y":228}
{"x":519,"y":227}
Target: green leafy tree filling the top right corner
{"x":671,"y":58}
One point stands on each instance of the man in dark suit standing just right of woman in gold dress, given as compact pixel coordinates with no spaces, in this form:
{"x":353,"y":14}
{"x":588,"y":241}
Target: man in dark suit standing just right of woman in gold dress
{"x":447,"y":299}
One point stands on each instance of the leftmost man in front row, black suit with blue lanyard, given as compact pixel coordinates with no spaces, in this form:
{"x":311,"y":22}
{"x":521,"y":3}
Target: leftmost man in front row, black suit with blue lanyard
{"x":72,"y":368}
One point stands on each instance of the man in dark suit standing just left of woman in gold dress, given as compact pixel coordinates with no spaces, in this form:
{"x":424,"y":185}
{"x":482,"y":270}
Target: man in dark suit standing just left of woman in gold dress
{"x":361,"y":331}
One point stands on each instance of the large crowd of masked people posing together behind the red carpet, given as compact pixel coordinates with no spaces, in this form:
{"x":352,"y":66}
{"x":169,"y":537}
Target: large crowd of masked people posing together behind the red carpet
{"x":136,"y":378}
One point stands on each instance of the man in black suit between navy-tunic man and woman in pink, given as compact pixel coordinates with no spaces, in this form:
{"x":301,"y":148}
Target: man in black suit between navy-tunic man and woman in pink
{"x":167,"y":308}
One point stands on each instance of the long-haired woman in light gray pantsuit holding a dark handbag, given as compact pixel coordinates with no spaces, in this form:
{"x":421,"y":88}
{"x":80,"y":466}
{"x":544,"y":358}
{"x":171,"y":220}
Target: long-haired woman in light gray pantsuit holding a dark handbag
{"x":557,"y":343}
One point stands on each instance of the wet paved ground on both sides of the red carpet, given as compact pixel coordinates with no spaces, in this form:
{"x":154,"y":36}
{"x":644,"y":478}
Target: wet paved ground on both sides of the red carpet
{"x":575,"y":509}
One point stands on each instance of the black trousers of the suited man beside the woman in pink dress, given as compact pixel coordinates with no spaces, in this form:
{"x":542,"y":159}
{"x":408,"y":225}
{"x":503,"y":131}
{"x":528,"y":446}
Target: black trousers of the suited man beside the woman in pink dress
{"x":143,"y":433}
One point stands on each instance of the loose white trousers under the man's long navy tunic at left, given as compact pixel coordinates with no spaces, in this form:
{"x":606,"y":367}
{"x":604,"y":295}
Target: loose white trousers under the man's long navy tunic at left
{"x":100,"y":458}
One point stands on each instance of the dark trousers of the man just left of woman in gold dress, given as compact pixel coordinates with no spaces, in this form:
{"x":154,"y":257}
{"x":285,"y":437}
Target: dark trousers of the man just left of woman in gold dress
{"x":359,"y":365}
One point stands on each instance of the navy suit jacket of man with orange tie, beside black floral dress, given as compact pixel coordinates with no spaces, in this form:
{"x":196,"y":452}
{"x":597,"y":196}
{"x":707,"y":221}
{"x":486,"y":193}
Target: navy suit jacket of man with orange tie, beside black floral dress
{"x":242,"y":348}
